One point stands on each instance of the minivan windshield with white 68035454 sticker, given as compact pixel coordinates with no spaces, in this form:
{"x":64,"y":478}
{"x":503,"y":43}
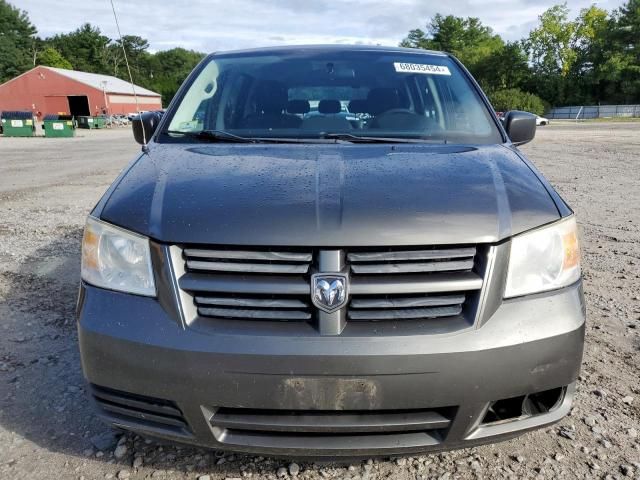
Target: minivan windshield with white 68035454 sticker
{"x":312,"y":94}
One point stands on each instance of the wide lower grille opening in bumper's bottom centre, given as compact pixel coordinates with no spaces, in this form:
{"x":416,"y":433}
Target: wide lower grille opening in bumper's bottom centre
{"x":336,"y":429}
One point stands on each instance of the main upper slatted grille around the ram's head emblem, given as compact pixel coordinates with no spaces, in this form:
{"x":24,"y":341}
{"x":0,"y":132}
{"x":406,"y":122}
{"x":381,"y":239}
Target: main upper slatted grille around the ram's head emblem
{"x":404,"y":284}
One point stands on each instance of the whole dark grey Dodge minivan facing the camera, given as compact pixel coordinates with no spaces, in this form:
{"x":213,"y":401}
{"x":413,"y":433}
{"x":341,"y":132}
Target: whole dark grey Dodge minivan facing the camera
{"x":268,"y":281}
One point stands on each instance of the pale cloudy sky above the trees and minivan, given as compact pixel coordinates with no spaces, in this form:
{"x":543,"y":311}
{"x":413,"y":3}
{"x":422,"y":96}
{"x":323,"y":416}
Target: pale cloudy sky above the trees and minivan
{"x":213,"y":25}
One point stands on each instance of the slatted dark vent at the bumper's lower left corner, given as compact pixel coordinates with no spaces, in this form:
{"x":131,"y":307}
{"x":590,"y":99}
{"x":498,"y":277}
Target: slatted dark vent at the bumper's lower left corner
{"x":139,"y":411}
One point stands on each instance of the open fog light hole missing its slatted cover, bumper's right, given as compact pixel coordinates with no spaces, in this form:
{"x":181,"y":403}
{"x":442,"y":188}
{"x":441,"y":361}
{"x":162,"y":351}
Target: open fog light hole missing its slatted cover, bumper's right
{"x":524,"y":406}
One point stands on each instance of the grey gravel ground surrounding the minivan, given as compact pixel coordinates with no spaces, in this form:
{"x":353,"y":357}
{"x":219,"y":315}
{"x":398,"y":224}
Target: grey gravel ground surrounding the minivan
{"x":47,"y":186}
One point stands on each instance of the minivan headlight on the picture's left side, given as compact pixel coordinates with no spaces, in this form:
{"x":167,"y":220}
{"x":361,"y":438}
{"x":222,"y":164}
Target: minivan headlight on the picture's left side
{"x":116,"y":259}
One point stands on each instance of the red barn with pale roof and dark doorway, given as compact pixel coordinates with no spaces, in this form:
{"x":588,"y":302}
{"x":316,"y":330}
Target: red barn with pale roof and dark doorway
{"x":45,"y":90}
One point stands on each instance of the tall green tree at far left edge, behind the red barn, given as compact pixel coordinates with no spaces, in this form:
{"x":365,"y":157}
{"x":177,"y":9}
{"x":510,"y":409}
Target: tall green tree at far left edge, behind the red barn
{"x":16,"y":37}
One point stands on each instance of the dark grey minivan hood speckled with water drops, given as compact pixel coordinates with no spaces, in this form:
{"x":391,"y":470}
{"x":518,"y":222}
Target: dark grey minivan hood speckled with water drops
{"x":329,"y":195}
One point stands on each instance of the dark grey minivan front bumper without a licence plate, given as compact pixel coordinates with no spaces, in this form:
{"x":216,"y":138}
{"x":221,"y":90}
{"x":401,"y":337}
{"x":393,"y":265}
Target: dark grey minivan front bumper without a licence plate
{"x":329,"y":396}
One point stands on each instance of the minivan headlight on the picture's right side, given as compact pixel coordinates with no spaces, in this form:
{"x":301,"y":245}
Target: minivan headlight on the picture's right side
{"x":544,"y":259}
